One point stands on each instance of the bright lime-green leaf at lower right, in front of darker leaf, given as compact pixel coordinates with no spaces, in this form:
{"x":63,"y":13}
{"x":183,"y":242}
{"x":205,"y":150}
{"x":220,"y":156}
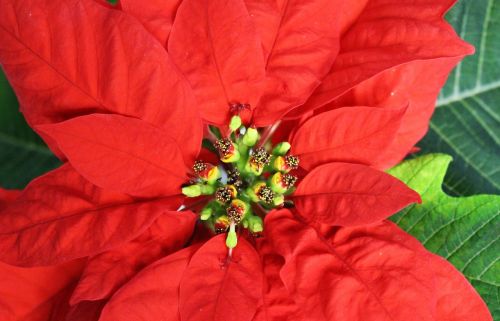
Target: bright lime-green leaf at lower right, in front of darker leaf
{"x":463,"y":230}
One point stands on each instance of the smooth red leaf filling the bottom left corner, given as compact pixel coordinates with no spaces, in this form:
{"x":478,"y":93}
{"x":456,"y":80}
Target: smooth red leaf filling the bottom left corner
{"x":35,"y":294}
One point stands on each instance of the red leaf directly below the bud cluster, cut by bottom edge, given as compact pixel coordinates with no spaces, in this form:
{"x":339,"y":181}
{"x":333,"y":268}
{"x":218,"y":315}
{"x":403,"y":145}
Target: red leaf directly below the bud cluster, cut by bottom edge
{"x":215,"y":288}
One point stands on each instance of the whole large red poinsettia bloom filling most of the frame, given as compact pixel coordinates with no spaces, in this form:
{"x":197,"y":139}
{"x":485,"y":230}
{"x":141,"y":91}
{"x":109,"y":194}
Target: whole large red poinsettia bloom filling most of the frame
{"x":116,"y":93}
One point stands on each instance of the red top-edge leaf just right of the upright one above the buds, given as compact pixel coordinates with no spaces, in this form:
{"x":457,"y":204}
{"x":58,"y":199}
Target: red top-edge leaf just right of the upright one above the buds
{"x":300,"y":41}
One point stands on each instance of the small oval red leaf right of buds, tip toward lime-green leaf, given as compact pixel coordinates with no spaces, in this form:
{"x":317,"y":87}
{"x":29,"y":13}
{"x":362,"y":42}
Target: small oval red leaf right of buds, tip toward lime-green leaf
{"x":350,"y":194}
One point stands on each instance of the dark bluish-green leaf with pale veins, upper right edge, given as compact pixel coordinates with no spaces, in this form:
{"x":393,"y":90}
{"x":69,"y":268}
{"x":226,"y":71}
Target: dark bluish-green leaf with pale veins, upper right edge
{"x":466,"y":123}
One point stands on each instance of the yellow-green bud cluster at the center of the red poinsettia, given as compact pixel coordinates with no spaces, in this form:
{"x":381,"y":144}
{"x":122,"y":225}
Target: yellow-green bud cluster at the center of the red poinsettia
{"x":252,"y":178}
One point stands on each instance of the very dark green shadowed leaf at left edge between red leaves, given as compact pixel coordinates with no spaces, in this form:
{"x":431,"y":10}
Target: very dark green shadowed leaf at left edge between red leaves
{"x":23,"y":155}
